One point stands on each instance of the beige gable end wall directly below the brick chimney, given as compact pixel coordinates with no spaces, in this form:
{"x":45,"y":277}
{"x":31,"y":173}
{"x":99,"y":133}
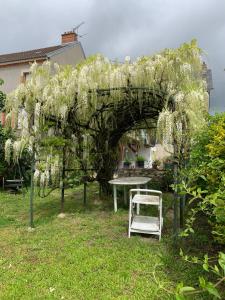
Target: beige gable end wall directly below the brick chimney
{"x":69,"y":56}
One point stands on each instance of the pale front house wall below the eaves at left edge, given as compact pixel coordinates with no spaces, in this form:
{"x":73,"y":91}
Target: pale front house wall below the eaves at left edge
{"x":12,"y":76}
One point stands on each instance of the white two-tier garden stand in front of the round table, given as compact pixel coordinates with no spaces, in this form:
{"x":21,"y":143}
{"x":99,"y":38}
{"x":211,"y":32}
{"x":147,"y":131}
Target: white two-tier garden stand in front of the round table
{"x":145,"y":224}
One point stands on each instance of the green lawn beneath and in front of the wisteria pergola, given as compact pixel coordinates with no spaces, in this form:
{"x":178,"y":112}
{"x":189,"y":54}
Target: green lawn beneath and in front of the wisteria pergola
{"x":85,"y":255}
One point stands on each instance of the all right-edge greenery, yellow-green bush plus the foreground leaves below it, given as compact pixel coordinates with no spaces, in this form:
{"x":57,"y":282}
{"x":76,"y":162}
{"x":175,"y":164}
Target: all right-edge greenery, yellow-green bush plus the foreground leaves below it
{"x":205,"y":187}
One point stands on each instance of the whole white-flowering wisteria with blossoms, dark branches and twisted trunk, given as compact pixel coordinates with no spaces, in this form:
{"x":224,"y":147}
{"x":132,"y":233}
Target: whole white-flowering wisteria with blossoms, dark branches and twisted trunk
{"x":86,"y":110}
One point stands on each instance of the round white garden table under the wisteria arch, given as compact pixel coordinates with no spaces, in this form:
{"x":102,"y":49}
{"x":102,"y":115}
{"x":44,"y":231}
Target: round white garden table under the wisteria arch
{"x":127,"y":181}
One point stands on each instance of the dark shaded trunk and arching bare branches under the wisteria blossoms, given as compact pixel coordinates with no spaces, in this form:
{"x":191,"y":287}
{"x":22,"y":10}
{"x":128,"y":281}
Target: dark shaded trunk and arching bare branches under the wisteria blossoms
{"x":110,"y":122}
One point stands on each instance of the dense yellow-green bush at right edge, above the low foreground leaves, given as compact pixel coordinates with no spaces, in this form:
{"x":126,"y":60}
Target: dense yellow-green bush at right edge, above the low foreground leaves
{"x":206,"y":176}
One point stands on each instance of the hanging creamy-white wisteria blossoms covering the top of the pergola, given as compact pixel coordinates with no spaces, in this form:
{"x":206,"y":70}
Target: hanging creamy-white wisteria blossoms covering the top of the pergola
{"x":41,"y":106}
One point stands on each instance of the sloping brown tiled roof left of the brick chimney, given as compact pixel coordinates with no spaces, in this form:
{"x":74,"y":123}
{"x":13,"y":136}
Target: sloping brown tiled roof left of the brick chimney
{"x":28,"y":55}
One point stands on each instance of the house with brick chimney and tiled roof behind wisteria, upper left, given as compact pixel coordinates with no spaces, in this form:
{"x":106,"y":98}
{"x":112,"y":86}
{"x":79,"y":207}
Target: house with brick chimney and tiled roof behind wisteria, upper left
{"x":14,"y":67}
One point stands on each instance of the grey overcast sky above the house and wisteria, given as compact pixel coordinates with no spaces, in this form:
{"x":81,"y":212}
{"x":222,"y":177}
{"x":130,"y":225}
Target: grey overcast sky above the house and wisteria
{"x":117,"y":28}
